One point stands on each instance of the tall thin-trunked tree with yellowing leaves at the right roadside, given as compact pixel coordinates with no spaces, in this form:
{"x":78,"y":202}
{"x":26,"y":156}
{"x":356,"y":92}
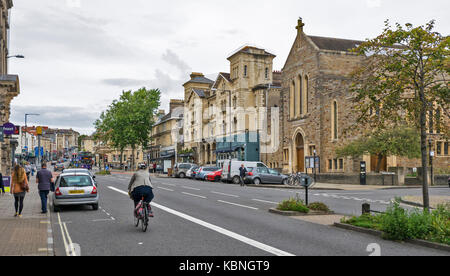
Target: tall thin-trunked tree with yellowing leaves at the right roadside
{"x":405,"y":79}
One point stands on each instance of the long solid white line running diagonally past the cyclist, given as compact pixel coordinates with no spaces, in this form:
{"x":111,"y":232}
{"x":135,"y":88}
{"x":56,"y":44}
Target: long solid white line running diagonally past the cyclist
{"x":218,"y":229}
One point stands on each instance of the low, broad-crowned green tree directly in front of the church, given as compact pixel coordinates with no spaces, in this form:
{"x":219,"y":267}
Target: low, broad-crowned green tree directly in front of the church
{"x":401,"y":141}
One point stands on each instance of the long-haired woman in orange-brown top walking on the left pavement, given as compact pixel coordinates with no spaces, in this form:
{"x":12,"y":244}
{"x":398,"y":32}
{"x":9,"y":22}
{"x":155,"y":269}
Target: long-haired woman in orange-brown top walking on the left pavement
{"x":19,"y":187}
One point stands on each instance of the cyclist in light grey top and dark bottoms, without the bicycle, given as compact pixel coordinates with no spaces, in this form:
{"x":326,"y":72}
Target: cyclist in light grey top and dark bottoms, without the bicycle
{"x":141,"y":187}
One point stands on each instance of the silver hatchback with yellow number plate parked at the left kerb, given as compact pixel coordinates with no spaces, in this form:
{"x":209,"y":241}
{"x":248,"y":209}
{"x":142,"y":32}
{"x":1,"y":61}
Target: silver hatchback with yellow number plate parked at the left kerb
{"x":76,"y":188}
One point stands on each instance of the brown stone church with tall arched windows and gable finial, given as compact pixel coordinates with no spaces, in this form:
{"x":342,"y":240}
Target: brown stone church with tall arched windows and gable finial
{"x":317,"y":108}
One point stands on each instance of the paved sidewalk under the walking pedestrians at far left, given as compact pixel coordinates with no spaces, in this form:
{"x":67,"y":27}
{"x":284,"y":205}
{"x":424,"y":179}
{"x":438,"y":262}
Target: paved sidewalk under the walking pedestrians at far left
{"x":30,"y":235}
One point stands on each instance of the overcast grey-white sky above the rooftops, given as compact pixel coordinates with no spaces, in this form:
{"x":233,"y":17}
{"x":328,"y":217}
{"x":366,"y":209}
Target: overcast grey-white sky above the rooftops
{"x":81,"y":54}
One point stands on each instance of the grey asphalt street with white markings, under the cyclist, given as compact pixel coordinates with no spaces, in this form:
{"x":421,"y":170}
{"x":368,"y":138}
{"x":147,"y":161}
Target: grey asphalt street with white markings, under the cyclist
{"x":194,"y":218}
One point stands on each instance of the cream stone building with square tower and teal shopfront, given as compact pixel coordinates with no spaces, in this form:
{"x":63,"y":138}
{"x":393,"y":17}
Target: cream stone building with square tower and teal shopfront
{"x":227,"y":118}
